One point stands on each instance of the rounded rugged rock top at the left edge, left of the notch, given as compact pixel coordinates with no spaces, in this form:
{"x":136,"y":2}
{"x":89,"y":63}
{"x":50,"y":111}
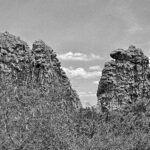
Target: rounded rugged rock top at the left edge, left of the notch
{"x":13,"y":52}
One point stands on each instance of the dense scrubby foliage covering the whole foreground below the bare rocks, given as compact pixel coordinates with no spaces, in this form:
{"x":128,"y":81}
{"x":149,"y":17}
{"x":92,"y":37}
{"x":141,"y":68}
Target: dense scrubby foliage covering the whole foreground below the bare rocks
{"x":33,"y":121}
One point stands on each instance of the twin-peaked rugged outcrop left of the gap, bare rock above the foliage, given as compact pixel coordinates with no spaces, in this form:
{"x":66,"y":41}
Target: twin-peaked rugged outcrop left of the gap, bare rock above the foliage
{"x":36,"y":68}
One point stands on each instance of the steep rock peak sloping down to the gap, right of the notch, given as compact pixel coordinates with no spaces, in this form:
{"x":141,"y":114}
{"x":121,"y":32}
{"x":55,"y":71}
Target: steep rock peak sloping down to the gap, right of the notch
{"x":50,"y":76}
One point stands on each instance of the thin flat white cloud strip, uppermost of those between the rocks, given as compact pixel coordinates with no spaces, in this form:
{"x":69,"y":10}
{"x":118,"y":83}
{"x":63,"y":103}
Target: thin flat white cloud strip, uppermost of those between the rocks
{"x":78,"y":56}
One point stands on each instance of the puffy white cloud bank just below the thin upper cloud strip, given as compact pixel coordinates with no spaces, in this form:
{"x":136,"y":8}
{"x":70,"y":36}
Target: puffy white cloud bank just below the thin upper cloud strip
{"x":81,"y":72}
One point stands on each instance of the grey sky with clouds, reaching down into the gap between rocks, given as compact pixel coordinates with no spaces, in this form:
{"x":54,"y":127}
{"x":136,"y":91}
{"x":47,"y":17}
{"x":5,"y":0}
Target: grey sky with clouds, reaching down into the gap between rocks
{"x":82,"y":32}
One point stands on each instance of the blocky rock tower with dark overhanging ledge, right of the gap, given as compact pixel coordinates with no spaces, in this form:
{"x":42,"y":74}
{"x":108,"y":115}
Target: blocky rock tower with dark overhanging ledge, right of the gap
{"x":125,"y":79}
